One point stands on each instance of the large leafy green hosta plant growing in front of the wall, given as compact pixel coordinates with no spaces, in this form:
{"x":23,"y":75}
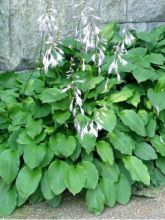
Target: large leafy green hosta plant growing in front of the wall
{"x":92,"y":124}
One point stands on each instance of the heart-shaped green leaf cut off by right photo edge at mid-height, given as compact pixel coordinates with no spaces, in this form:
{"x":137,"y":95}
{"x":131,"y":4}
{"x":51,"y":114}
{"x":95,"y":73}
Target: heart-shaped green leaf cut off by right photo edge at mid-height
{"x":156,"y":99}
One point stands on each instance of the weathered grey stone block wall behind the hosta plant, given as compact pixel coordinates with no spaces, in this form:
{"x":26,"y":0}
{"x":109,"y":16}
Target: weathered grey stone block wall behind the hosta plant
{"x":20,"y":40}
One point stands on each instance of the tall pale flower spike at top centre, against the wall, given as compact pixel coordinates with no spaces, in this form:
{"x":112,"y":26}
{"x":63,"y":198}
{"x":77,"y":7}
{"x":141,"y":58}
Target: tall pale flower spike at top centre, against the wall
{"x":89,"y":34}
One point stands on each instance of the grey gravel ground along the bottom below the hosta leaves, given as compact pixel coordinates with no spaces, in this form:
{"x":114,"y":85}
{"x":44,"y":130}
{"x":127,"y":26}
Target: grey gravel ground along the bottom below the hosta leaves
{"x":74,"y":208}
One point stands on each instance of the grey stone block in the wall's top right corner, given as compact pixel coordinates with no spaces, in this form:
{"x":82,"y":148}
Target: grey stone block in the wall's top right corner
{"x":146,"y":10}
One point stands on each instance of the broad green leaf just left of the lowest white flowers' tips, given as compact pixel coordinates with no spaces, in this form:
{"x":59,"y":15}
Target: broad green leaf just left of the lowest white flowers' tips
{"x":62,"y":145}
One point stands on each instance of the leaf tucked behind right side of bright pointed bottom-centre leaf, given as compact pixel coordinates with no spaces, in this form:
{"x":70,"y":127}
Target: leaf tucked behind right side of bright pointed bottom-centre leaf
{"x":91,"y":175}
